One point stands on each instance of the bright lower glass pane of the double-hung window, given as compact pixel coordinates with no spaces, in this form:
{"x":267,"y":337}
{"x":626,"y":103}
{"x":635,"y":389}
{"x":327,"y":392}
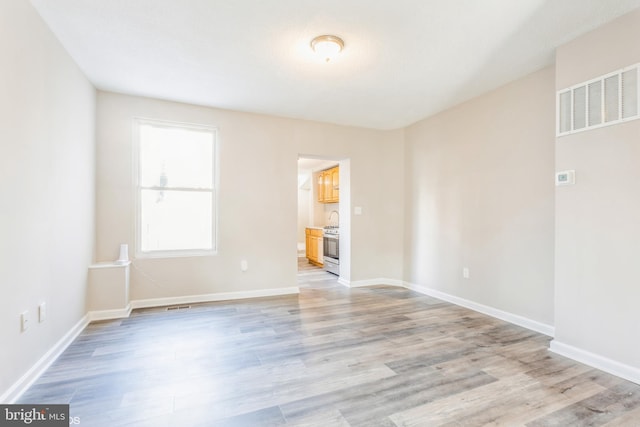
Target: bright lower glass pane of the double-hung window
{"x":176,"y":220}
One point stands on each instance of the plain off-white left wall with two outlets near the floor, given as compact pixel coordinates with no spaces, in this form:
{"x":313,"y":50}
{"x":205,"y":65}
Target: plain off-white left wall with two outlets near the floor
{"x":47,"y":149}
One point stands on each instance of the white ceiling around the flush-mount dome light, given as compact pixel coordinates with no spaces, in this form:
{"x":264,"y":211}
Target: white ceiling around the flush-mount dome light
{"x":404,"y":60}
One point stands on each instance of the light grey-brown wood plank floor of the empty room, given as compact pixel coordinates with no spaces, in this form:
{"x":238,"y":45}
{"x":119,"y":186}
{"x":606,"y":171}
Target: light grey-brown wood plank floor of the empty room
{"x":377,"y":356}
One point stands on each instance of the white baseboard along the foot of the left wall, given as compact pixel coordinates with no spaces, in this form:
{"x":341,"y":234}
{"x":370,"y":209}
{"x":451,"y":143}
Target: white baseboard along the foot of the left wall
{"x":20,"y":386}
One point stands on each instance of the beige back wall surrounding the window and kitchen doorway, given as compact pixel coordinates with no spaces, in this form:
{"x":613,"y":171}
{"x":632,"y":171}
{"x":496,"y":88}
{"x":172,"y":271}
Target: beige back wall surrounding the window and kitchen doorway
{"x":258,"y":197}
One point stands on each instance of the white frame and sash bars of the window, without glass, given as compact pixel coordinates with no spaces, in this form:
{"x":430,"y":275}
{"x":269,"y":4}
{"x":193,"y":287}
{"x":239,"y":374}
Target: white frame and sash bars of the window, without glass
{"x":137,"y":122}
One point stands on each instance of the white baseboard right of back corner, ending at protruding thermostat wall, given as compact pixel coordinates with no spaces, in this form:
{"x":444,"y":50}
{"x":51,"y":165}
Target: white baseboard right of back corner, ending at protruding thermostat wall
{"x":534,"y":325}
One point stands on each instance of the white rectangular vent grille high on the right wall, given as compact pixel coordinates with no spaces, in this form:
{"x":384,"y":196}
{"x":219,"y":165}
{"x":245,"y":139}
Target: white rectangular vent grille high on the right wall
{"x":605,"y":100}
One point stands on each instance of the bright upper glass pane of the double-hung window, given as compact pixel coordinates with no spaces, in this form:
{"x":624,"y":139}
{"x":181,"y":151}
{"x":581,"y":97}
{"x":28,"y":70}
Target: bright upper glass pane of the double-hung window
{"x":175,"y":157}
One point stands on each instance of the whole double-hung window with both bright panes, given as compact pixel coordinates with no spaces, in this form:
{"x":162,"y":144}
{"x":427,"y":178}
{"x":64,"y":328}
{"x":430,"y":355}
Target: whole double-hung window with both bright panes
{"x":176,"y":194}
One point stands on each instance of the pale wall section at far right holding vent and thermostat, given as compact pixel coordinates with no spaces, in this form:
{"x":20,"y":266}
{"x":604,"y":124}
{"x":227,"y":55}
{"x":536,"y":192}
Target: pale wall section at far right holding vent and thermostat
{"x":598,"y":219}
